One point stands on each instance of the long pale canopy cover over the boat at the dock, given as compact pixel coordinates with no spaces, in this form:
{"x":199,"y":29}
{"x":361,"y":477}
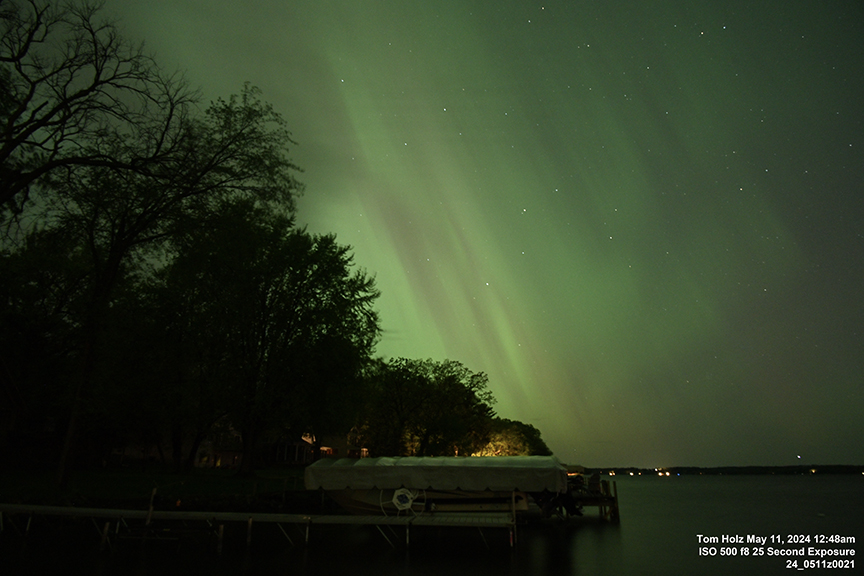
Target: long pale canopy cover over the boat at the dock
{"x":496,"y":473}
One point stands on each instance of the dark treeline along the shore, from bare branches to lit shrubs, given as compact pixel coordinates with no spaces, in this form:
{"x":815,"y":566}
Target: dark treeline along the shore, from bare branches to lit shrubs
{"x":155,"y":289}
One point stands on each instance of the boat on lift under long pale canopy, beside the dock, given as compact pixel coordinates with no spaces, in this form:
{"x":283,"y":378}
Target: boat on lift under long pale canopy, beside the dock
{"x":438,"y":484}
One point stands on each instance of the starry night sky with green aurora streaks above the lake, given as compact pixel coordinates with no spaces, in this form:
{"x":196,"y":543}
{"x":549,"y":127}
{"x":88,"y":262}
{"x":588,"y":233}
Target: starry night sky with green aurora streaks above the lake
{"x":643,"y":220}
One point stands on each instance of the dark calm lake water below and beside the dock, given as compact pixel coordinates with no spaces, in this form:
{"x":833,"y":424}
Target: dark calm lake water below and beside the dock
{"x":660,"y":521}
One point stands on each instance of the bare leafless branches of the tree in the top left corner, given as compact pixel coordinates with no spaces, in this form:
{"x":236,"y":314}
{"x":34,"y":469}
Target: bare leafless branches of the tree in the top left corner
{"x":70,"y":86}
